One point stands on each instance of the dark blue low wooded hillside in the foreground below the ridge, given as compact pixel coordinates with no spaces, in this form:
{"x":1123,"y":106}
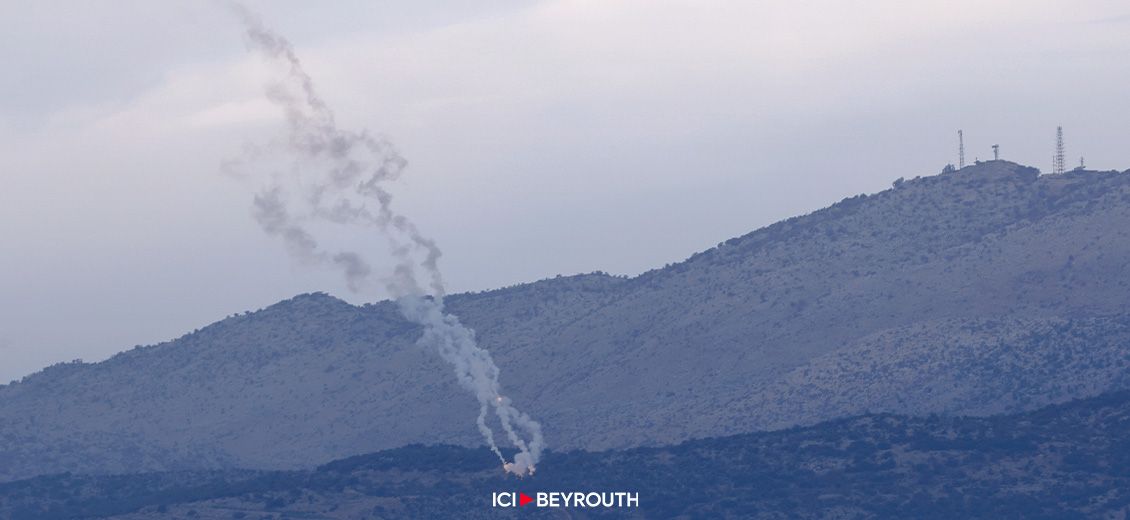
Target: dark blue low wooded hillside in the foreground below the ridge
{"x":1064,"y":462}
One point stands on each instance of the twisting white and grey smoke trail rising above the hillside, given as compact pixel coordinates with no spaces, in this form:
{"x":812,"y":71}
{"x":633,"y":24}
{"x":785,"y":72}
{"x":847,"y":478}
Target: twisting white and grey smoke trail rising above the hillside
{"x":338,"y":177}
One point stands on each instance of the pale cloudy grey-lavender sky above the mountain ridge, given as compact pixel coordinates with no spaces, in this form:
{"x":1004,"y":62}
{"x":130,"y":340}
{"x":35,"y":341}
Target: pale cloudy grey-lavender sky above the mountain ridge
{"x":543,"y":137}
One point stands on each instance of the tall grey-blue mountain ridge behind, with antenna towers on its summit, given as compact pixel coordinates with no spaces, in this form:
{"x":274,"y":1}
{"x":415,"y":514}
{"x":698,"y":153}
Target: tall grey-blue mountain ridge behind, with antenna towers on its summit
{"x":989,"y":290}
